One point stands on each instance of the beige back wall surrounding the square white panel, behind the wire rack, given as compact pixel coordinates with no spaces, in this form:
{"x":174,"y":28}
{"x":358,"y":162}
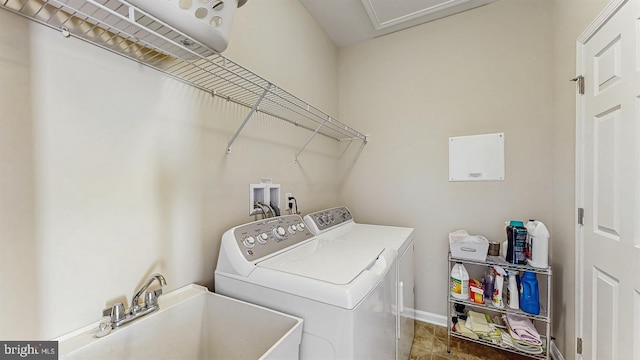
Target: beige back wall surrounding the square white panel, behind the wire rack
{"x":483,"y":71}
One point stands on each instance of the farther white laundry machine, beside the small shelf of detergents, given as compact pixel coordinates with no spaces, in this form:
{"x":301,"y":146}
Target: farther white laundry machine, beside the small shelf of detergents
{"x":337,"y":224}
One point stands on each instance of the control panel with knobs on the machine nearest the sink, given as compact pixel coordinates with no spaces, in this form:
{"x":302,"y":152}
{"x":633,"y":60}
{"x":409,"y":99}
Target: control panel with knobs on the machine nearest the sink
{"x":265,"y":237}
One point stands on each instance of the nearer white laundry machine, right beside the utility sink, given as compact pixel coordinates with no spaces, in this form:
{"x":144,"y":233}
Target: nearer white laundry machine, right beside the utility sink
{"x":344,"y":291}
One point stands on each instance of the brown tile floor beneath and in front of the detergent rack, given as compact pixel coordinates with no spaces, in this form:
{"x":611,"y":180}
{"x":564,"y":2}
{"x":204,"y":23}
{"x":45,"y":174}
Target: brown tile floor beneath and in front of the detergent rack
{"x":430,"y":343}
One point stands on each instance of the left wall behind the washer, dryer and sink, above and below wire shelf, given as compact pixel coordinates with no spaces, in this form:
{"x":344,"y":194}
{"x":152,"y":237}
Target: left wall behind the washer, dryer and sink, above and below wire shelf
{"x":119,"y":171}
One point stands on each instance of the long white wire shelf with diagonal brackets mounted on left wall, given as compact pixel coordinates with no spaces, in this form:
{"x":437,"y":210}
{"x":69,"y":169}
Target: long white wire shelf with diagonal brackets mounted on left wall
{"x":119,"y":27}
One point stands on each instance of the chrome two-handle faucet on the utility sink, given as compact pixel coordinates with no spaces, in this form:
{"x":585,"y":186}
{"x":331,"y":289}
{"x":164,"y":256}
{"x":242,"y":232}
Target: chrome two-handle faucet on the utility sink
{"x":118,"y":316}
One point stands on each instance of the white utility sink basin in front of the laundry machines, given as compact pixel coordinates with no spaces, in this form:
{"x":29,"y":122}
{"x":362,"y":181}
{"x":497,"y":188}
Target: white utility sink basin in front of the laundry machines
{"x":193,"y":323}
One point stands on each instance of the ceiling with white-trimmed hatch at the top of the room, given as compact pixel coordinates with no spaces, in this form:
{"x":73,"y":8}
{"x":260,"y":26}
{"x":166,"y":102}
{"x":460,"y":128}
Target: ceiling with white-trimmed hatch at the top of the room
{"x":348,"y":22}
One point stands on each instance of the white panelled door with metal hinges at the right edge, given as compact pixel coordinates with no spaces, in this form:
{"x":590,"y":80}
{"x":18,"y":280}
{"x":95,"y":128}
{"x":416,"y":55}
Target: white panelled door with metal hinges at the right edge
{"x":608,"y":185}
